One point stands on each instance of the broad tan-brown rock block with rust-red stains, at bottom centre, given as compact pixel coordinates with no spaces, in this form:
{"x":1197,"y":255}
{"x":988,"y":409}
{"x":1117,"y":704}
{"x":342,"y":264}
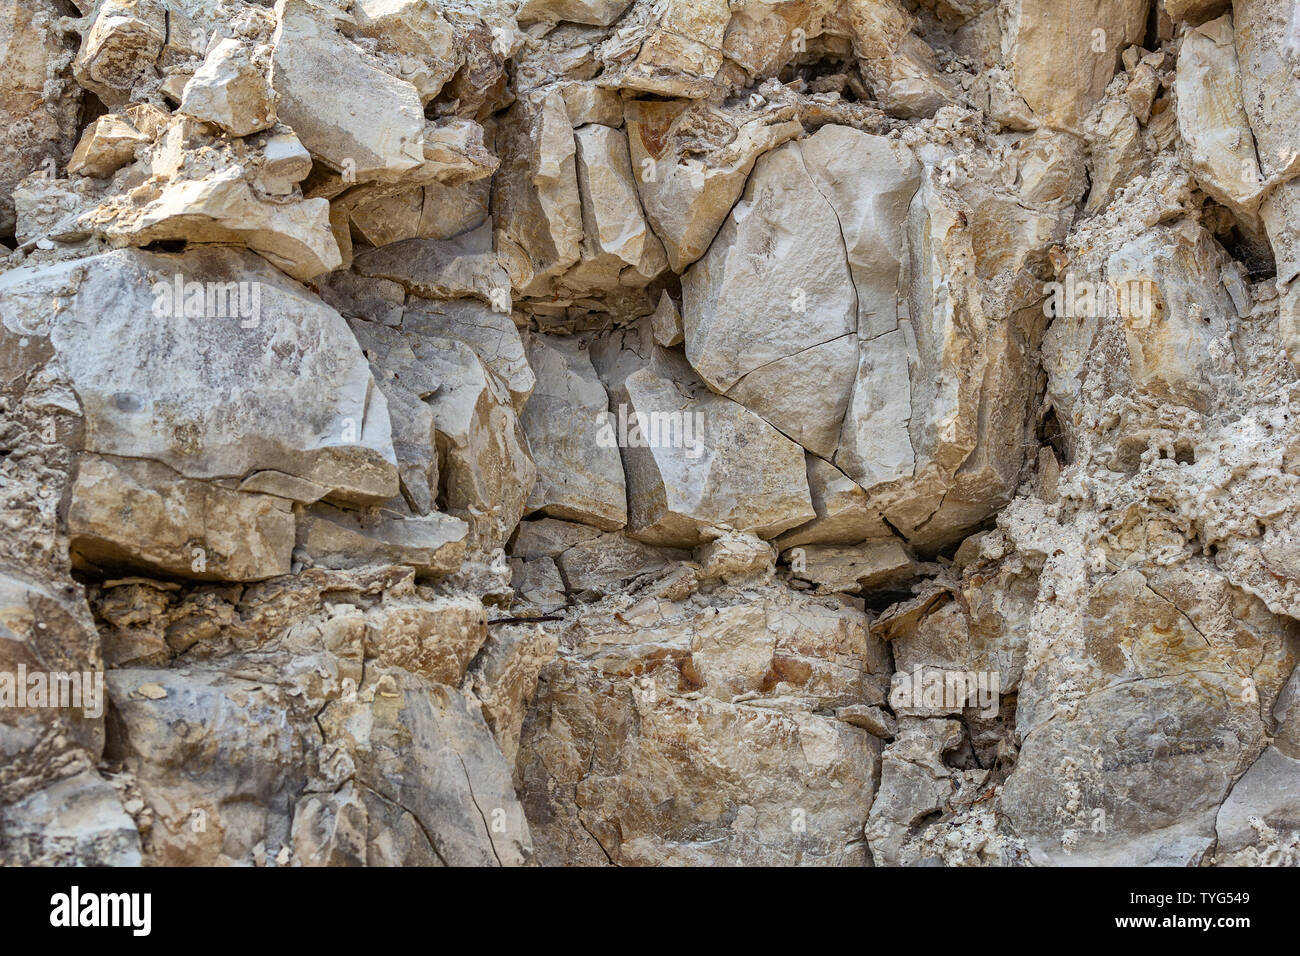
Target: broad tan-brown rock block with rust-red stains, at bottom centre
{"x":606,"y":782}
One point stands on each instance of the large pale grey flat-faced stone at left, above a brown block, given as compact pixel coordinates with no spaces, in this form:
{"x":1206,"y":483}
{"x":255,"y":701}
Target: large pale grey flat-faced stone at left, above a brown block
{"x":202,"y":393}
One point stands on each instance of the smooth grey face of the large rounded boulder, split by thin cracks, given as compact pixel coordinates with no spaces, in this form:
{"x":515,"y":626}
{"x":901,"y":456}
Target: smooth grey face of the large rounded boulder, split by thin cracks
{"x":765,"y":313}
